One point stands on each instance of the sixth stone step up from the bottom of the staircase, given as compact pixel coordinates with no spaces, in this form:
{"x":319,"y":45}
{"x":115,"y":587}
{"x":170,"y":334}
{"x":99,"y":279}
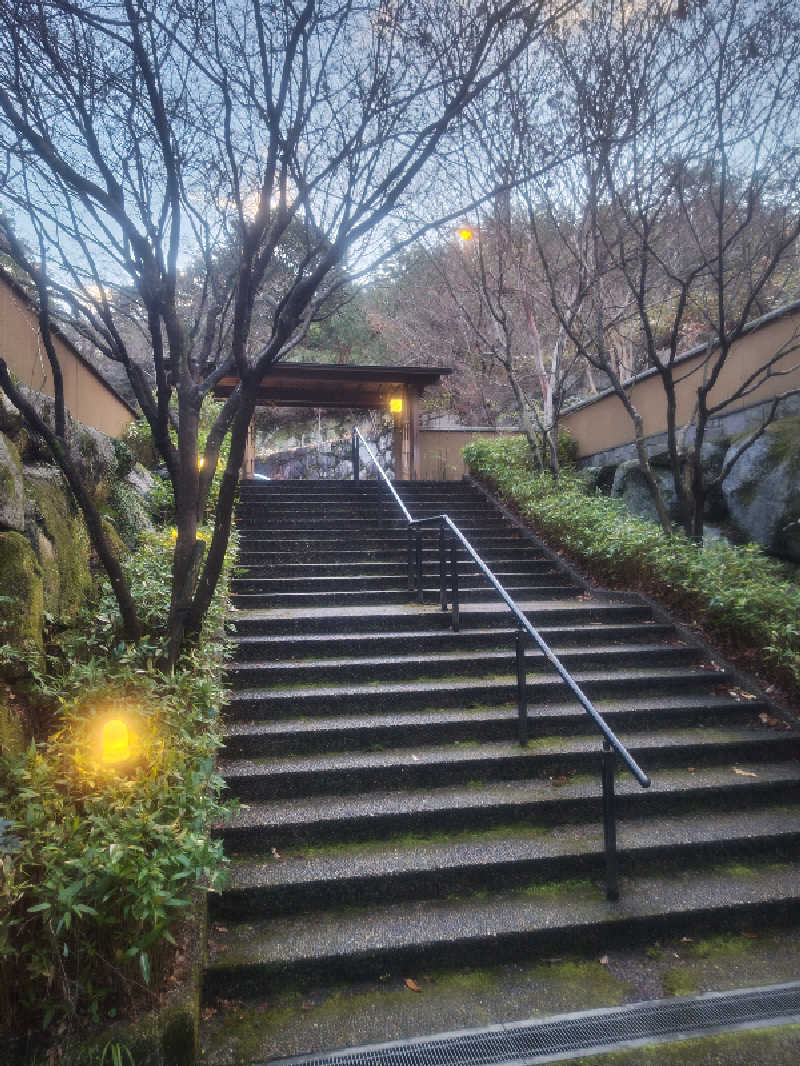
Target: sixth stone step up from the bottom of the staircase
{"x":383,"y":699}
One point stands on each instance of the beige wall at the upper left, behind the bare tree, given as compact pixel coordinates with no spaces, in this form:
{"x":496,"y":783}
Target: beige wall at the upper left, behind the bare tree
{"x":87,"y":398}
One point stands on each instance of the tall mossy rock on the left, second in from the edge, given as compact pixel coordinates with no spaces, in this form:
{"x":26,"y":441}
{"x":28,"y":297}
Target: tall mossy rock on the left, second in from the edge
{"x":61,"y":541}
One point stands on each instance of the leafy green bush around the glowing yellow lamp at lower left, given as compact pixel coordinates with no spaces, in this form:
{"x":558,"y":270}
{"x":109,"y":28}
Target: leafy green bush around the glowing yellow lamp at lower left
{"x":99,"y":863}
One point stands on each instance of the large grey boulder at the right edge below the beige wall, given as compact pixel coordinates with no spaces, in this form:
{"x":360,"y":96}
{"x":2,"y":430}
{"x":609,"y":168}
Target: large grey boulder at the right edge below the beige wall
{"x":763,"y":491}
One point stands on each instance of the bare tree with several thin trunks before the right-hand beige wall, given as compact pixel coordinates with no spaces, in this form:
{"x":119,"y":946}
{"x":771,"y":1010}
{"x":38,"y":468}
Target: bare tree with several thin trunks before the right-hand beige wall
{"x":686,"y":132}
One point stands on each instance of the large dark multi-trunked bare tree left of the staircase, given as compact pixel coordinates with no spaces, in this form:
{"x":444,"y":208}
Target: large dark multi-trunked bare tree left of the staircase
{"x":139,"y":135}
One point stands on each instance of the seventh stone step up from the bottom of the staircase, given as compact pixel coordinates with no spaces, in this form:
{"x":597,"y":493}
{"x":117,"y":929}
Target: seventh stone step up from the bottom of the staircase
{"x":495,"y":664}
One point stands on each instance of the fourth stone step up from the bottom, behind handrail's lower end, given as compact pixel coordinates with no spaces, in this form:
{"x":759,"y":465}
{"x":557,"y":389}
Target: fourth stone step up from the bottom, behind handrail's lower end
{"x":546,"y":757}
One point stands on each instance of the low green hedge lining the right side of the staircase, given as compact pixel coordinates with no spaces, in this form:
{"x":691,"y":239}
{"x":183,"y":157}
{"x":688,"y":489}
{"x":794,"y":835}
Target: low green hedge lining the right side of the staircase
{"x":738,"y":591}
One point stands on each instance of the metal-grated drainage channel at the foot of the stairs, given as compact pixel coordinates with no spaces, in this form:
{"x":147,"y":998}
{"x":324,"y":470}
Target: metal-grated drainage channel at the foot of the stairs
{"x":567,"y":1037}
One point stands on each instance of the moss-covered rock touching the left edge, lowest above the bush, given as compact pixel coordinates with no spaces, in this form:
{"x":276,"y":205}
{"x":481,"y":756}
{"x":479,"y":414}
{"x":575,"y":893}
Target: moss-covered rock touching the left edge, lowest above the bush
{"x":22,"y":601}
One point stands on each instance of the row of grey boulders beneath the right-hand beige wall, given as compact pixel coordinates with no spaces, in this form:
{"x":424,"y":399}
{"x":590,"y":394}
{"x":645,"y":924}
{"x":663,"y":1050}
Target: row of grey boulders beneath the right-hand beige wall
{"x":759,"y":500}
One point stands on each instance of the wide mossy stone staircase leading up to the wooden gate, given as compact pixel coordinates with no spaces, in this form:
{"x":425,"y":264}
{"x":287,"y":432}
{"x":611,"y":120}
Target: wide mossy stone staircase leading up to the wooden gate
{"x":389,"y":818}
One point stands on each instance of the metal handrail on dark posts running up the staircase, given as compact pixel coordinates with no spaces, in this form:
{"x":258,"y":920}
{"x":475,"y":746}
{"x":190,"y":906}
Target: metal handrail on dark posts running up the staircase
{"x":450,"y":539}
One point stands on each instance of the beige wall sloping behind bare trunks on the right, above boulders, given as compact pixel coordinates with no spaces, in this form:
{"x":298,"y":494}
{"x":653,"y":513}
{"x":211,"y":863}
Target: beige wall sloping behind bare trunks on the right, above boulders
{"x":603,"y":424}
